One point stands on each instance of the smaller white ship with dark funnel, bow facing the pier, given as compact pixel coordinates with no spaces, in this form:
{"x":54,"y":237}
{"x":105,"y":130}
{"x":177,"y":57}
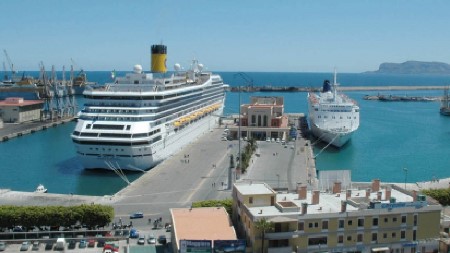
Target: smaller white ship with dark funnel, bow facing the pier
{"x":333,"y":117}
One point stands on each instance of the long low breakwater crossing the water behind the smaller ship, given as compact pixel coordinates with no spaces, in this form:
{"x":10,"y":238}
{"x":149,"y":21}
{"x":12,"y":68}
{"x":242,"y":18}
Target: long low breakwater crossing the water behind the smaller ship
{"x":274,"y":88}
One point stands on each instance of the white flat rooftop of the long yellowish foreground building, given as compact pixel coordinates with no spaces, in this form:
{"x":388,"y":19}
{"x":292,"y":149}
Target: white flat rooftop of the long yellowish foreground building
{"x":326,"y":202}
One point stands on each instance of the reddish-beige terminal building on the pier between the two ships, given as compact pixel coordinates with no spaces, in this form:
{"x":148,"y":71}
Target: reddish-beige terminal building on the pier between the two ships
{"x":261,"y":119}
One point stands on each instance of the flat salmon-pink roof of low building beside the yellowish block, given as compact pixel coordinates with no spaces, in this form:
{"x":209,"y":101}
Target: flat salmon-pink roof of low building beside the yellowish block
{"x":206,"y":223}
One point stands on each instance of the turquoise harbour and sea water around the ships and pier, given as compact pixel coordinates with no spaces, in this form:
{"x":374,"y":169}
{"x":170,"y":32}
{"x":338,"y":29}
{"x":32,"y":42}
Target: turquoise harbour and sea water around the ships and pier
{"x":392,"y":136}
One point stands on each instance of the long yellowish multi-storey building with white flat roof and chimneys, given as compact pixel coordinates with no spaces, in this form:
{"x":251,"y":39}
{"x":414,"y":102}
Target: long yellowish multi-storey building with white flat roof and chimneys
{"x":372,"y":218}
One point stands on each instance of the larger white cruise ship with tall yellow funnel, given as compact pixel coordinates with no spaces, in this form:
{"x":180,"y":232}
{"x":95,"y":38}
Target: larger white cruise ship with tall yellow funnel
{"x":140,"y":119}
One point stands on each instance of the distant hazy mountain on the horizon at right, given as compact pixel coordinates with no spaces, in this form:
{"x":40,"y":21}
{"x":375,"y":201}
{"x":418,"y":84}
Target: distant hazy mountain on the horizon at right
{"x":413,"y":67}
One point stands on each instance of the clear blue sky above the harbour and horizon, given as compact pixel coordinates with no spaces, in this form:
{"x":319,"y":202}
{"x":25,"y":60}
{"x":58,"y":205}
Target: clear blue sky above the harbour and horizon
{"x":231,"y":35}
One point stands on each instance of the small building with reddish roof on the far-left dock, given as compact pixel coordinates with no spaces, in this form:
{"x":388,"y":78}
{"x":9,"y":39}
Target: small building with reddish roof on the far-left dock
{"x":18,"y":110}
